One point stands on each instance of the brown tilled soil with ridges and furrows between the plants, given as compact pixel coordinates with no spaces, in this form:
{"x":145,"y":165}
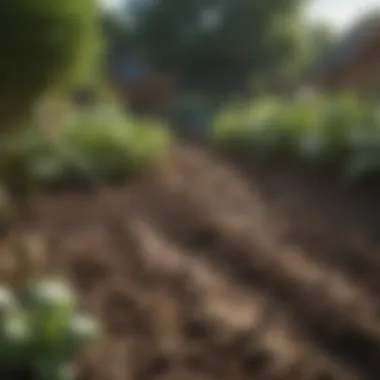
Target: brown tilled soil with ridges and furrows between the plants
{"x":210,"y":270}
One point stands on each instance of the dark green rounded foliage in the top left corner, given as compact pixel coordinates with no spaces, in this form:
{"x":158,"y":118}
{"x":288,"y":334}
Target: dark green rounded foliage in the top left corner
{"x":44,"y":44}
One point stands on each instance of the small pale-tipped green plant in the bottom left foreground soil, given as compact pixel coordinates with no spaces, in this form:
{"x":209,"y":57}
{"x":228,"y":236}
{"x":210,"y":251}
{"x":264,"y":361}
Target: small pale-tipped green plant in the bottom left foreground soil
{"x":42,"y":330}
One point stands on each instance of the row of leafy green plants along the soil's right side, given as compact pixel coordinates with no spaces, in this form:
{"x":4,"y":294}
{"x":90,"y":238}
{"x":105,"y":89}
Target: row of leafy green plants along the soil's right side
{"x":336,"y":132}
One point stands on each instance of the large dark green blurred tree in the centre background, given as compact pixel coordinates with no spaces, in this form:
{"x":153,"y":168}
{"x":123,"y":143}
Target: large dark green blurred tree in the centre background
{"x":218,"y":43}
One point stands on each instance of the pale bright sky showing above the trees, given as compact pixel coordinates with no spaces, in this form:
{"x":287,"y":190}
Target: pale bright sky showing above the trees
{"x":339,"y":13}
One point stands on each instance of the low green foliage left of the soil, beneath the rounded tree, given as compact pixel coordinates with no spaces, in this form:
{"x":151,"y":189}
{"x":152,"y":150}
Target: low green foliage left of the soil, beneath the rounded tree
{"x":94,"y":146}
